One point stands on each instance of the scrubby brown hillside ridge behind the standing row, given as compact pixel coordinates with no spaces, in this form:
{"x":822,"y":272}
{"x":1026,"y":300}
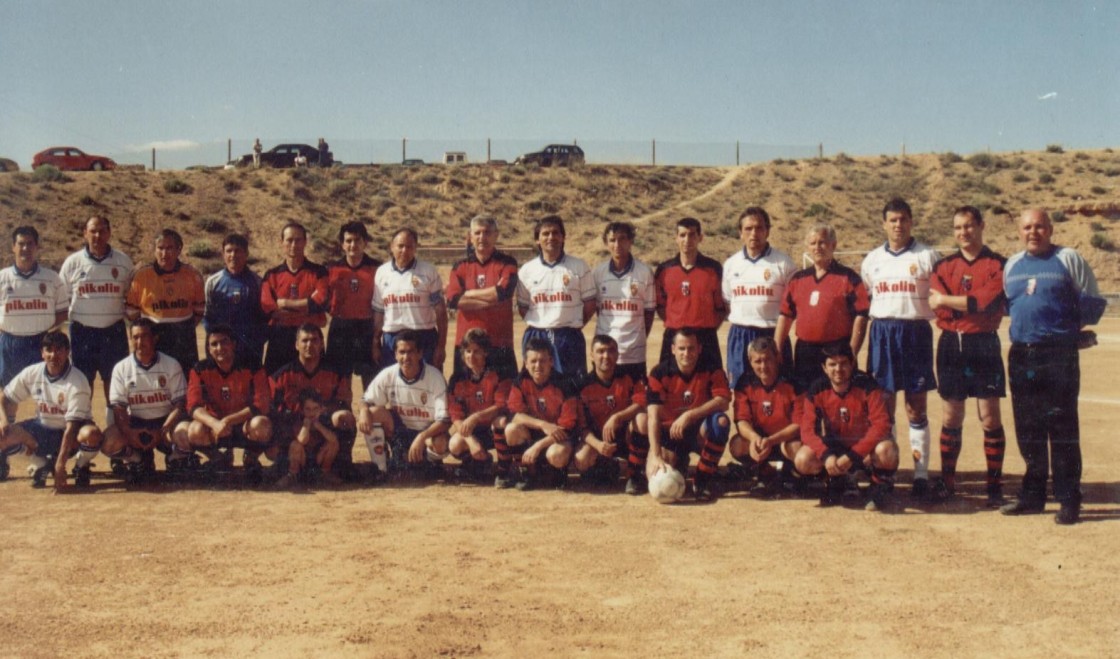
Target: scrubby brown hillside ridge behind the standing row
{"x":438,"y":202}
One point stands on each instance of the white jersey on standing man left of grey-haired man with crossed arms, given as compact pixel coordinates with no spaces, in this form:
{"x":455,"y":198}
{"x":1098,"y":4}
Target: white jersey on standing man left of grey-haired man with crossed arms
{"x":408,"y":298}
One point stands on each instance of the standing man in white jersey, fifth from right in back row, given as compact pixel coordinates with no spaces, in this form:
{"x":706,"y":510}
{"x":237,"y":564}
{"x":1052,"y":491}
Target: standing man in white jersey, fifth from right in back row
{"x":753,"y":286}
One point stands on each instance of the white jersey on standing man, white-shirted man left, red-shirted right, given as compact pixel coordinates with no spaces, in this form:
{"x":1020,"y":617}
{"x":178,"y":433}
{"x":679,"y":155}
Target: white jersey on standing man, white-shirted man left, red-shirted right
{"x":624,"y":300}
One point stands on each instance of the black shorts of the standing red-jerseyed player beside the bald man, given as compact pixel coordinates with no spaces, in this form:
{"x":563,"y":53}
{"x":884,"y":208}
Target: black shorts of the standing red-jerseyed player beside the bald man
{"x":970,"y":366}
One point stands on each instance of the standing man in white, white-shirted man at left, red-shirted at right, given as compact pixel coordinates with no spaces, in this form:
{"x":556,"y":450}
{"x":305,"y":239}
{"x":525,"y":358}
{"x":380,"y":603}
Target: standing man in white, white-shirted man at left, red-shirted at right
{"x":628,"y":300}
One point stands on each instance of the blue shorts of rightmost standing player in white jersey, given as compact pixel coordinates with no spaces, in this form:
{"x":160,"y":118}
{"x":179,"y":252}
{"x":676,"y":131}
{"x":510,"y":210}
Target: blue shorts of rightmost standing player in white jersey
{"x":901,"y":356}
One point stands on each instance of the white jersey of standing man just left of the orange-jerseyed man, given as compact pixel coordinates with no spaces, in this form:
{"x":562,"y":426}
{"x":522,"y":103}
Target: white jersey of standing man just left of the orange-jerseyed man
{"x":97,"y":286}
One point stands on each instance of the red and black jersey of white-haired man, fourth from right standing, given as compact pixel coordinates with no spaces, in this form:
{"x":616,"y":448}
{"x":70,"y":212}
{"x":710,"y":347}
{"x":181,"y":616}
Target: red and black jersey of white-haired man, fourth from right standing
{"x":826,"y":309}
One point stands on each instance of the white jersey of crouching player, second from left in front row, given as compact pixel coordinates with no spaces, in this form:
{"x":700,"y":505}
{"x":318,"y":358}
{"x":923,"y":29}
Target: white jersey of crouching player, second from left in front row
{"x":148,"y":393}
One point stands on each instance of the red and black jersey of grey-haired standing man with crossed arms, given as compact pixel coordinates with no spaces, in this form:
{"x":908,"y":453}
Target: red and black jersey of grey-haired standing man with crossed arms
{"x":470,"y":274}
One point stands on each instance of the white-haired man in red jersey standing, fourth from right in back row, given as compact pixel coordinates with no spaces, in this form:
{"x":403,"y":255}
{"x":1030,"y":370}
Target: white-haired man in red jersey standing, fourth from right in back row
{"x":829,"y":303}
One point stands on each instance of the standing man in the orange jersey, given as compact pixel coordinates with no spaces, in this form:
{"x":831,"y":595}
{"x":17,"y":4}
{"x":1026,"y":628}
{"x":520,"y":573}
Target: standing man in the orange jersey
{"x":170,"y":293}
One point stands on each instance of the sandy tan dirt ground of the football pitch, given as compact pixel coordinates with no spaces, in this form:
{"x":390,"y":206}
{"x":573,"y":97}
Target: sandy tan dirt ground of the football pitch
{"x":470,"y":571}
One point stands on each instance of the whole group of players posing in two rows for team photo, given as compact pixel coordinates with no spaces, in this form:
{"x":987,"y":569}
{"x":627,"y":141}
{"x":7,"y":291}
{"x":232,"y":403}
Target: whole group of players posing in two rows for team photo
{"x":785,"y":398}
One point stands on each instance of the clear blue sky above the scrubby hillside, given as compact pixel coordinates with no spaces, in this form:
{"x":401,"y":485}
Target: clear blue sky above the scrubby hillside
{"x":860,"y":77}
